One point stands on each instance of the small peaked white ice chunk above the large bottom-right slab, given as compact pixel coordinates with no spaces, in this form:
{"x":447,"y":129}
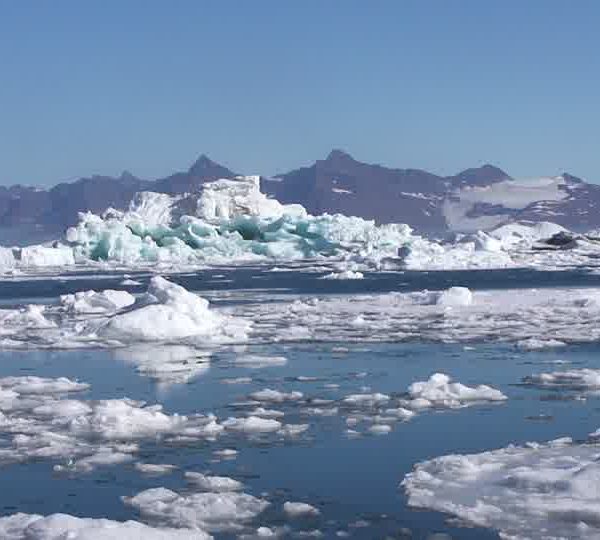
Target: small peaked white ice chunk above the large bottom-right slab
{"x":439,"y":391}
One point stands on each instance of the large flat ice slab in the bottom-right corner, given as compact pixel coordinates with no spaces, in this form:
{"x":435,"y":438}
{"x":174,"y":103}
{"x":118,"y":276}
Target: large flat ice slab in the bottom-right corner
{"x":539,"y":491}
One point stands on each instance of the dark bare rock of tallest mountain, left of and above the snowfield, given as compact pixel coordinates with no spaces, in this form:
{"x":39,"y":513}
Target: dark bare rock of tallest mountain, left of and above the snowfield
{"x":339,"y":183}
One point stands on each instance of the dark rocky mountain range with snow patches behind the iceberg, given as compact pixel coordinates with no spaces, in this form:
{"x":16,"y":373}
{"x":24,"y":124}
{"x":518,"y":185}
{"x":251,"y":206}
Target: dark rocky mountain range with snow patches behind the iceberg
{"x":476,"y":198}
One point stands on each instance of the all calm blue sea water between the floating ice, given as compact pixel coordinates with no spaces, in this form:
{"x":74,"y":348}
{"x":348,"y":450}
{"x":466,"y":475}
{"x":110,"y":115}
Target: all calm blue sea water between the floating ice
{"x":349,"y":479}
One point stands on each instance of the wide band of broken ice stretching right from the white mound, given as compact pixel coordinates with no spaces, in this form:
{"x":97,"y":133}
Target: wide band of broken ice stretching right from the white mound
{"x":529,"y":318}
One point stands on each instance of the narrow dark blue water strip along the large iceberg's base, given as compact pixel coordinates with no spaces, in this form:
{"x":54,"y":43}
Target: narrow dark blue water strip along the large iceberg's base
{"x":298,"y":282}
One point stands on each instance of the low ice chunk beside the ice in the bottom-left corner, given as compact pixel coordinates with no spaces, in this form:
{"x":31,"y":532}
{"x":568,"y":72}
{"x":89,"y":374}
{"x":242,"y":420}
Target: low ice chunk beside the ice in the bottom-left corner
{"x":205,"y":511}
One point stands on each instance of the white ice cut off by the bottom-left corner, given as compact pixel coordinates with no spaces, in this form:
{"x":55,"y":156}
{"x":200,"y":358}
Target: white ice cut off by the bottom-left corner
{"x":62,"y":527}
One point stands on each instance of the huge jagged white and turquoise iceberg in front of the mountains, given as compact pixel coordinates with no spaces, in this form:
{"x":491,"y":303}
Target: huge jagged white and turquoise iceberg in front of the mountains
{"x":232,"y":220}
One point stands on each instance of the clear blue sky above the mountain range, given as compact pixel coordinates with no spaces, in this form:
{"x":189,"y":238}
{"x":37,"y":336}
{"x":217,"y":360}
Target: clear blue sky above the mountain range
{"x":264,"y":86}
